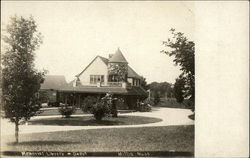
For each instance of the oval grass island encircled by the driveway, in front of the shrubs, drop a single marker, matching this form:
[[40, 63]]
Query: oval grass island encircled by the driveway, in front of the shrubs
[[90, 121]]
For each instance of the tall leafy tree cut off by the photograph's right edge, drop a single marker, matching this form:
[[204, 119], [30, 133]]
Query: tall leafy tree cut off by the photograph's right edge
[[183, 51]]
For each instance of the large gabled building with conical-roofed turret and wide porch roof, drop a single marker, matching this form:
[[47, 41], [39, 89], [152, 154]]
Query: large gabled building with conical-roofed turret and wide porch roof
[[105, 75]]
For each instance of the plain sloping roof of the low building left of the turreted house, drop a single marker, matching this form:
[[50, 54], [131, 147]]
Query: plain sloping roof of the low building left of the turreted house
[[55, 82]]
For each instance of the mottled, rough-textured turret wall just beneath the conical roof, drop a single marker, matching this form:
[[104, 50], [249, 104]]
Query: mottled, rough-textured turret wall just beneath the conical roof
[[119, 69]]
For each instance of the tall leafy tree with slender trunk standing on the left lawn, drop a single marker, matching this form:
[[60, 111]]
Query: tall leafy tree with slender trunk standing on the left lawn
[[21, 81]]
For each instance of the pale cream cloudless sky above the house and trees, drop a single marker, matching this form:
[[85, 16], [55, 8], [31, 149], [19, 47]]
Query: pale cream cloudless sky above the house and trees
[[75, 32]]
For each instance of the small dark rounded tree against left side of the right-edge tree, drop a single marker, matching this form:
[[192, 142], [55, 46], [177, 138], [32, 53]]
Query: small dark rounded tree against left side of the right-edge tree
[[178, 89]]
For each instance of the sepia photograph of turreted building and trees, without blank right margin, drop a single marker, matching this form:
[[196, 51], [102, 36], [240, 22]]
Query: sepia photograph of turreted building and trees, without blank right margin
[[98, 79]]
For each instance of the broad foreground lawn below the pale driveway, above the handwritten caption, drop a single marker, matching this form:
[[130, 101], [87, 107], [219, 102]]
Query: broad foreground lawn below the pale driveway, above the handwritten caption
[[178, 138]]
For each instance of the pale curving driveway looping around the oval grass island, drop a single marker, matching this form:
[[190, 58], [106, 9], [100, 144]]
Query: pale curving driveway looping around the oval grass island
[[169, 116]]
